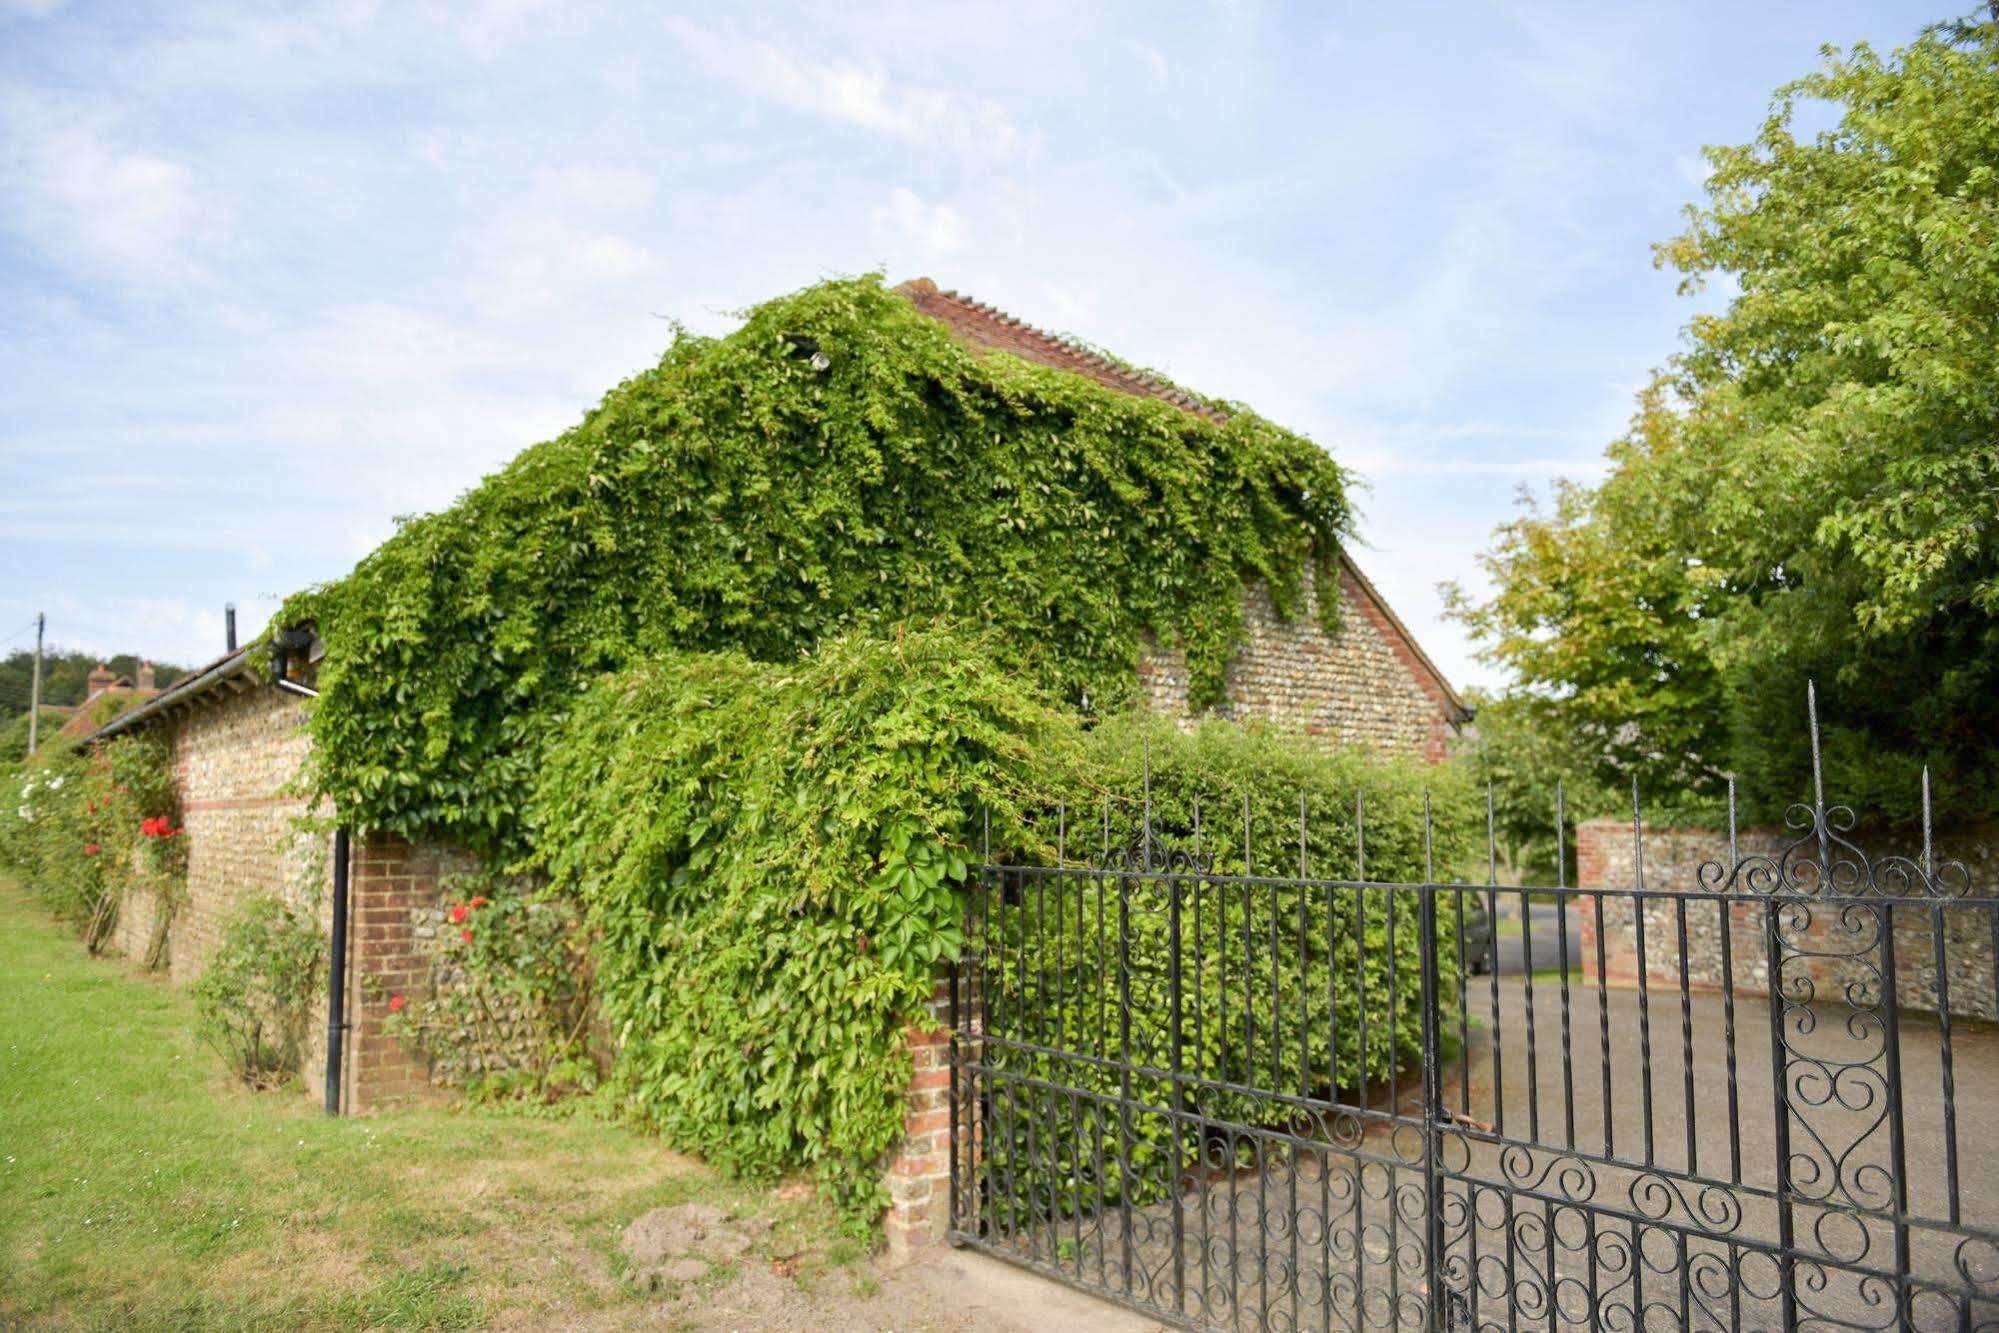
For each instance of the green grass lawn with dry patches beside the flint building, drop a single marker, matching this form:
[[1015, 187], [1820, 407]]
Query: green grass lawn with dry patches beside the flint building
[[141, 1188]]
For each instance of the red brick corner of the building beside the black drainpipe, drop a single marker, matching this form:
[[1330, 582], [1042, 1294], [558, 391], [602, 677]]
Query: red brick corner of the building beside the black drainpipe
[[391, 888]]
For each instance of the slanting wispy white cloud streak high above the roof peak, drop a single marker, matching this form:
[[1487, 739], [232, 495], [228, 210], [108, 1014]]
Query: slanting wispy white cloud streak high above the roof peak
[[861, 97]]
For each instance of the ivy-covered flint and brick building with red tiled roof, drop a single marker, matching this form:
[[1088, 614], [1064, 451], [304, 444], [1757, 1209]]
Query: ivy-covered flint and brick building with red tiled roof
[[857, 457]]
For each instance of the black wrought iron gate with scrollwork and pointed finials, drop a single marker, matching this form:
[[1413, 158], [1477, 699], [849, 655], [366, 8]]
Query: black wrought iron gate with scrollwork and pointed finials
[[1222, 1102]]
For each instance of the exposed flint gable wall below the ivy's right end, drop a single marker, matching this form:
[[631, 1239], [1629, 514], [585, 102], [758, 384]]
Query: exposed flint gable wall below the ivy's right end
[[1362, 686]]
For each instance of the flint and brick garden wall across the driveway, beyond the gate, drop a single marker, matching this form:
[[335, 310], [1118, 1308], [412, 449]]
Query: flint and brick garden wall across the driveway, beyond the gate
[[1822, 952]]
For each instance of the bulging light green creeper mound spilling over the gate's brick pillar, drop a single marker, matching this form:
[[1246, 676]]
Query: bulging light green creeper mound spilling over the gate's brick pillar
[[773, 864]]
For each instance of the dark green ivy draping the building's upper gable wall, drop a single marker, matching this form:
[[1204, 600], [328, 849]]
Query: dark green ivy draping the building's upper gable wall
[[741, 499]]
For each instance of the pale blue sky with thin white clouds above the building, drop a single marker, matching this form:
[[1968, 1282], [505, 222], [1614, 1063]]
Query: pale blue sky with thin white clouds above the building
[[275, 275]]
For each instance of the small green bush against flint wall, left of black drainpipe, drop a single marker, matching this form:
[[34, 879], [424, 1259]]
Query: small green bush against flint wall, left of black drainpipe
[[255, 1000]]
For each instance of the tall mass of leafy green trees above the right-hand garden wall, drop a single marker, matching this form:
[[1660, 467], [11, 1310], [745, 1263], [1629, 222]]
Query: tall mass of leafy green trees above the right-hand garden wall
[[1812, 487]]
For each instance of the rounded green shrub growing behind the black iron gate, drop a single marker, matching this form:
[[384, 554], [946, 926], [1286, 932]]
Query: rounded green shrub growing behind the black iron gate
[[1276, 984]]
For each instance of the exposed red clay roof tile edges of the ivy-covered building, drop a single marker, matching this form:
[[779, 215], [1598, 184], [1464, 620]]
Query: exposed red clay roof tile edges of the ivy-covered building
[[987, 327]]
